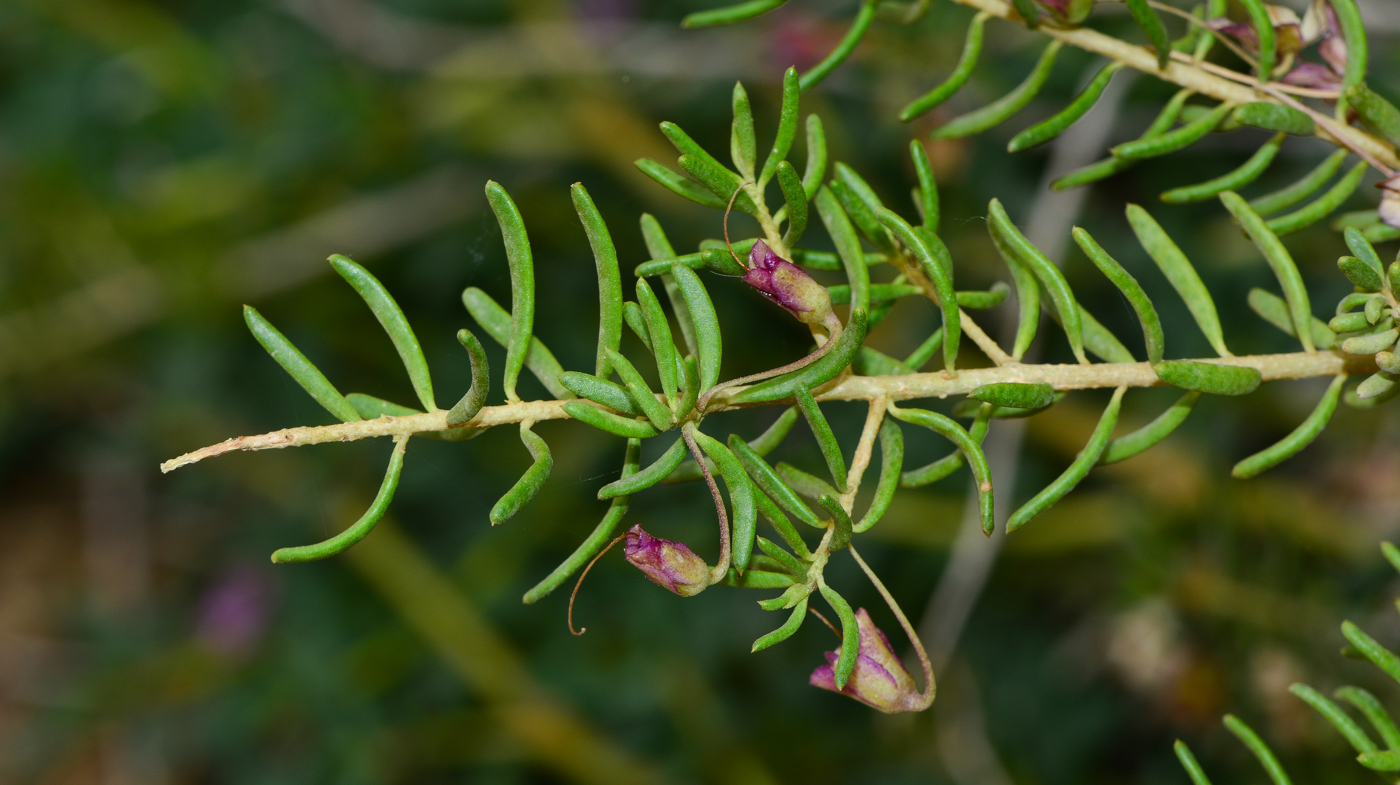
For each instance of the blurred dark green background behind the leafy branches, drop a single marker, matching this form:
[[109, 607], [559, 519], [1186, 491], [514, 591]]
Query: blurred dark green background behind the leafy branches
[[164, 163]]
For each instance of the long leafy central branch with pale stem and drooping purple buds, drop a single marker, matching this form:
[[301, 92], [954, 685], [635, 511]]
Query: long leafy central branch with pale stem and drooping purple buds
[[657, 387]]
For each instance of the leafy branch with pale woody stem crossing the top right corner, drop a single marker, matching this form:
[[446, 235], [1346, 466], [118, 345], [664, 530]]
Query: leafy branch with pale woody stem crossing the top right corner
[[1296, 76]]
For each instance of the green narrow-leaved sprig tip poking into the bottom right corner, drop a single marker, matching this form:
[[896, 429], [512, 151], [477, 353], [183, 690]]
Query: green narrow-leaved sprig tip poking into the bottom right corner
[[1382, 758]]
